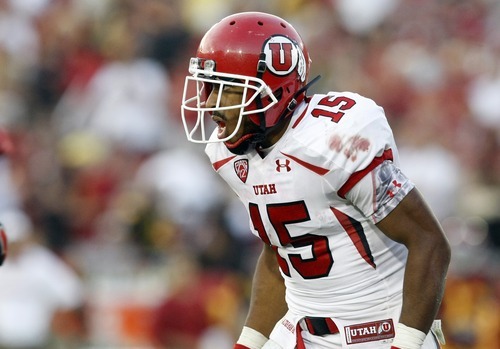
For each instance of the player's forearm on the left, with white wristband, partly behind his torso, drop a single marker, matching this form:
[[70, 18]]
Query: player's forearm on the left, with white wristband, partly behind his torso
[[267, 302]]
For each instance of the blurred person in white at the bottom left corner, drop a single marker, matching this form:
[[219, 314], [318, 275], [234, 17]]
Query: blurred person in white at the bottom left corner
[[41, 296]]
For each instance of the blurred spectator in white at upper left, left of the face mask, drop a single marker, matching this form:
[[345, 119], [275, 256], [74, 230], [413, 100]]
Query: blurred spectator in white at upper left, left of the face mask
[[125, 100]]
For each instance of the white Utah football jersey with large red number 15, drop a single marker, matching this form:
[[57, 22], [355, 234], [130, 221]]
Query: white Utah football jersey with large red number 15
[[315, 198]]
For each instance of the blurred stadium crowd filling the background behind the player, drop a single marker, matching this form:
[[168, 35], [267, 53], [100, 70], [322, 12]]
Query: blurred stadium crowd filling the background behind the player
[[121, 234]]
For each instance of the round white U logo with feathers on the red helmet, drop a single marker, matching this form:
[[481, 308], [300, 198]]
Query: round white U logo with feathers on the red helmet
[[283, 56]]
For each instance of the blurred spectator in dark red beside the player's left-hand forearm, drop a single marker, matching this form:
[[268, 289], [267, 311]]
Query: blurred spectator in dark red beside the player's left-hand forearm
[[200, 308]]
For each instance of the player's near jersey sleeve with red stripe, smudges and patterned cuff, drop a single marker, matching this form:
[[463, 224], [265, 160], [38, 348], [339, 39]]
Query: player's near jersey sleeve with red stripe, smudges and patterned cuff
[[365, 159]]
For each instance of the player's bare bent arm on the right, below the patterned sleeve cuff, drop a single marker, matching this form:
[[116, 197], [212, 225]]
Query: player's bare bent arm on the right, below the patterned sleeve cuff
[[413, 224]]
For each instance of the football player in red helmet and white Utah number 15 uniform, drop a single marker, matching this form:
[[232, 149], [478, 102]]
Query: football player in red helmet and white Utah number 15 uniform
[[352, 256]]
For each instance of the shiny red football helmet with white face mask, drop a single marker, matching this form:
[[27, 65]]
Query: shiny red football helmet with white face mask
[[257, 51]]
